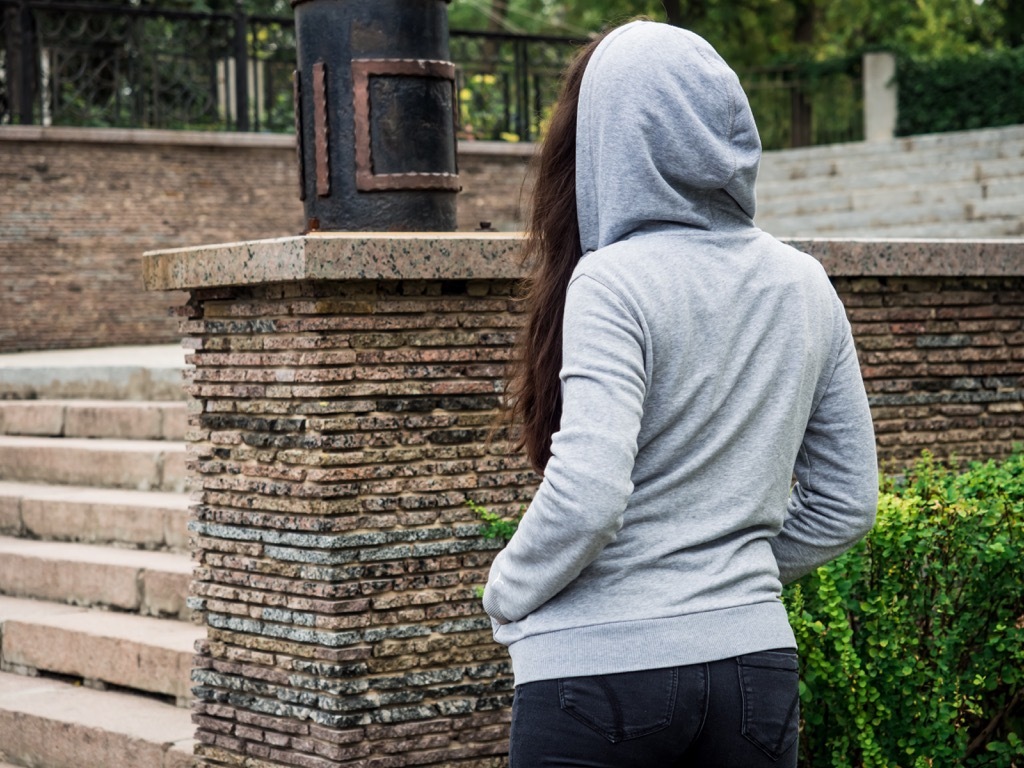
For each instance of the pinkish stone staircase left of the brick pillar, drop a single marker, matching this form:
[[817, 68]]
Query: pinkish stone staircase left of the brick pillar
[[96, 644]]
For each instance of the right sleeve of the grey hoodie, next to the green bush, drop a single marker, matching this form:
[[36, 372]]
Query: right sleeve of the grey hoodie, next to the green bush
[[833, 504]]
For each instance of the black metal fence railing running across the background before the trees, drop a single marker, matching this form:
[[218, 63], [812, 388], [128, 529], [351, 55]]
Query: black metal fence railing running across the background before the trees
[[84, 64]]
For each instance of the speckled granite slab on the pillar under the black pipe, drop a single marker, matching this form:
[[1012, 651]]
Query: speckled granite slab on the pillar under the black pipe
[[337, 257]]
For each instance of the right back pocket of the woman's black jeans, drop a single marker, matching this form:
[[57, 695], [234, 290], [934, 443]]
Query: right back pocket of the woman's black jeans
[[771, 685]]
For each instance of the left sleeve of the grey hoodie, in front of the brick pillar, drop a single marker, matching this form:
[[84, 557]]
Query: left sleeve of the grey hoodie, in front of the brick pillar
[[579, 507]]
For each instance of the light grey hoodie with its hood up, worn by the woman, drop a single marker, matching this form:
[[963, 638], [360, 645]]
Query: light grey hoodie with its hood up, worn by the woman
[[706, 366]]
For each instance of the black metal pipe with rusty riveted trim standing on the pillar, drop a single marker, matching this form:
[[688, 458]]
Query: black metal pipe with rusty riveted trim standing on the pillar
[[375, 115]]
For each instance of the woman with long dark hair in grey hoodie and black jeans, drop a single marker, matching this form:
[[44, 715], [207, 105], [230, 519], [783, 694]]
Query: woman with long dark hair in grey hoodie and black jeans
[[679, 368]]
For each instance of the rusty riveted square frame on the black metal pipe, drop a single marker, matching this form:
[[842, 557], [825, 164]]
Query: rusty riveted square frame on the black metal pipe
[[366, 180]]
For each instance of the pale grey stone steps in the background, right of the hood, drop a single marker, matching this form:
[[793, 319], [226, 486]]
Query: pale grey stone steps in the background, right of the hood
[[960, 185]]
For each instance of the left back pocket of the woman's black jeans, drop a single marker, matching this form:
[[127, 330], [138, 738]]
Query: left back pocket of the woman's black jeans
[[621, 707]]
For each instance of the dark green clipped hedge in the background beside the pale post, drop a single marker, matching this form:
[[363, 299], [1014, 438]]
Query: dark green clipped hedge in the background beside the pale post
[[961, 93]]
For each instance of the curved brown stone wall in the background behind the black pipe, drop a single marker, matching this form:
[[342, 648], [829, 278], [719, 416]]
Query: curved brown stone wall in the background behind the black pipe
[[79, 207]]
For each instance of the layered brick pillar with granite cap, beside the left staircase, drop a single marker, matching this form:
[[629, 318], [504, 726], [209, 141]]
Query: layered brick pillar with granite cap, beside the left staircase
[[344, 390]]
